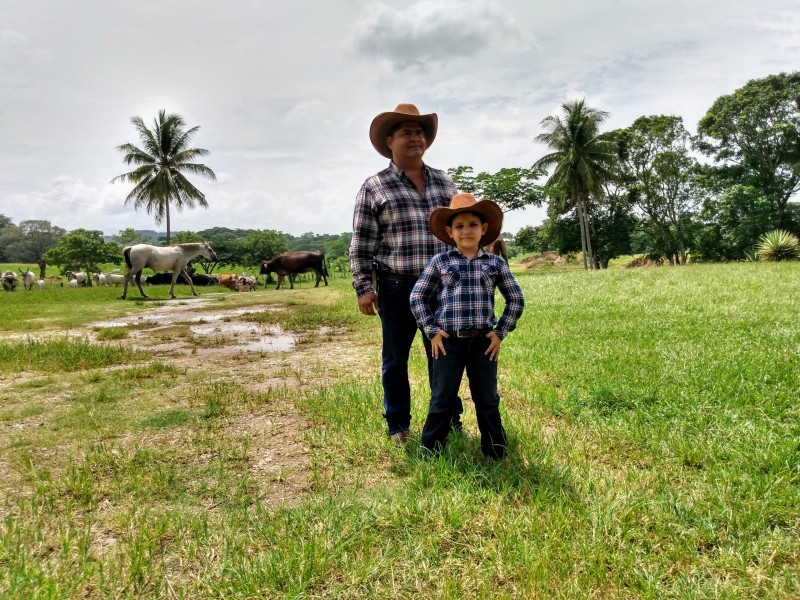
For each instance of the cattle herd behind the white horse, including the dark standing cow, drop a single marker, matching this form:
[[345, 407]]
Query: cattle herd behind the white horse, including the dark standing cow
[[287, 264]]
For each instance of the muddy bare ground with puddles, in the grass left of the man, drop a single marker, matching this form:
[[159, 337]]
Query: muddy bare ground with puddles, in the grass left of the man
[[252, 356]]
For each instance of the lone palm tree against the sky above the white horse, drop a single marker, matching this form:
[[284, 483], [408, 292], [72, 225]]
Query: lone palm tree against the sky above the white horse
[[158, 178]]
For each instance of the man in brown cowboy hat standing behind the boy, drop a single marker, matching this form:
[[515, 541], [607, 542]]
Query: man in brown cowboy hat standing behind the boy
[[391, 241]]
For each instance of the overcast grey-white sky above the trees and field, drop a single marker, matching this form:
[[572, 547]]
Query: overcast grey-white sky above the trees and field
[[284, 92]]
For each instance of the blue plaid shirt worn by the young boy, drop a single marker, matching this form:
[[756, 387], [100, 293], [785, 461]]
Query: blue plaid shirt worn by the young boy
[[465, 290]]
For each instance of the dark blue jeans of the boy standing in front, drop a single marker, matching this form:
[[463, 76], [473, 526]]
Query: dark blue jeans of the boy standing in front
[[448, 369]]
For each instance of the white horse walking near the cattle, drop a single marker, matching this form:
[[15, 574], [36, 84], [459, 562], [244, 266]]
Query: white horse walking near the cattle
[[172, 258]]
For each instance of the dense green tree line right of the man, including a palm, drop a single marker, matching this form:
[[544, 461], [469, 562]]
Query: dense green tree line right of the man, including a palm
[[644, 190]]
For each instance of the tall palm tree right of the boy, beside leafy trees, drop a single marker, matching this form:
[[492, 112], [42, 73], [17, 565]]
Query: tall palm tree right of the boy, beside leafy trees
[[583, 161]]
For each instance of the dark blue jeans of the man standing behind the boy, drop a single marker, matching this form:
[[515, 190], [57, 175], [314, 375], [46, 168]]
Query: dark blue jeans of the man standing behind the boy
[[399, 328]]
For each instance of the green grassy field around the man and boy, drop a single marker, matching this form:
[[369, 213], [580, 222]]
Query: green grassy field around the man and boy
[[654, 427]]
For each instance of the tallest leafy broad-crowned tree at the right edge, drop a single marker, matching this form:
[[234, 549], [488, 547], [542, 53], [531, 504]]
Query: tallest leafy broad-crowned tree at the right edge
[[753, 135]]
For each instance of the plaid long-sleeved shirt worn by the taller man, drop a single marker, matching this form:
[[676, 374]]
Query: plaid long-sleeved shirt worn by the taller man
[[390, 224]]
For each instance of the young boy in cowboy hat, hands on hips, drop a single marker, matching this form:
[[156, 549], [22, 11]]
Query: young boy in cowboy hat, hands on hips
[[464, 332]]
